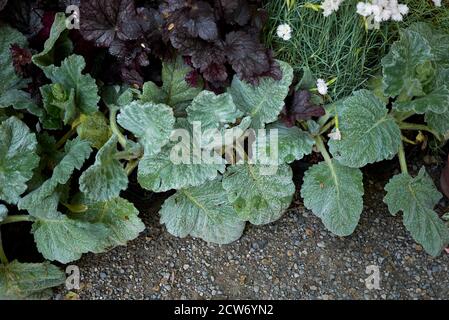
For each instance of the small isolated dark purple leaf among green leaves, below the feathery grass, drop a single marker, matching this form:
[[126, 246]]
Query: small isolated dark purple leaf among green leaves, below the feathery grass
[[302, 108]]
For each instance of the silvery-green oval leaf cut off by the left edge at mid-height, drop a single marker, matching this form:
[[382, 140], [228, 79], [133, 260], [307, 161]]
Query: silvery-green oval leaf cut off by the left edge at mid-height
[[18, 159]]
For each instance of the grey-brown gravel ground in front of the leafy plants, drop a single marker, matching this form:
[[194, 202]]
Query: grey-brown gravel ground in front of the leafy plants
[[294, 258]]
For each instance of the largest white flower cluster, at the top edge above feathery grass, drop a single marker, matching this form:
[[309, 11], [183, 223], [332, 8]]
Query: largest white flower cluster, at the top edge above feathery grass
[[382, 10]]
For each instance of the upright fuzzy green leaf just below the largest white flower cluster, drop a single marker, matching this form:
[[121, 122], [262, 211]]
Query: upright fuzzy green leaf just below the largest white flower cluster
[[400, 64]]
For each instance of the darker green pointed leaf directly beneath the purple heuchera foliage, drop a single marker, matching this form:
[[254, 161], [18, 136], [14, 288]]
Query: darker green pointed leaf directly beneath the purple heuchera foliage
[[175, 92]]
